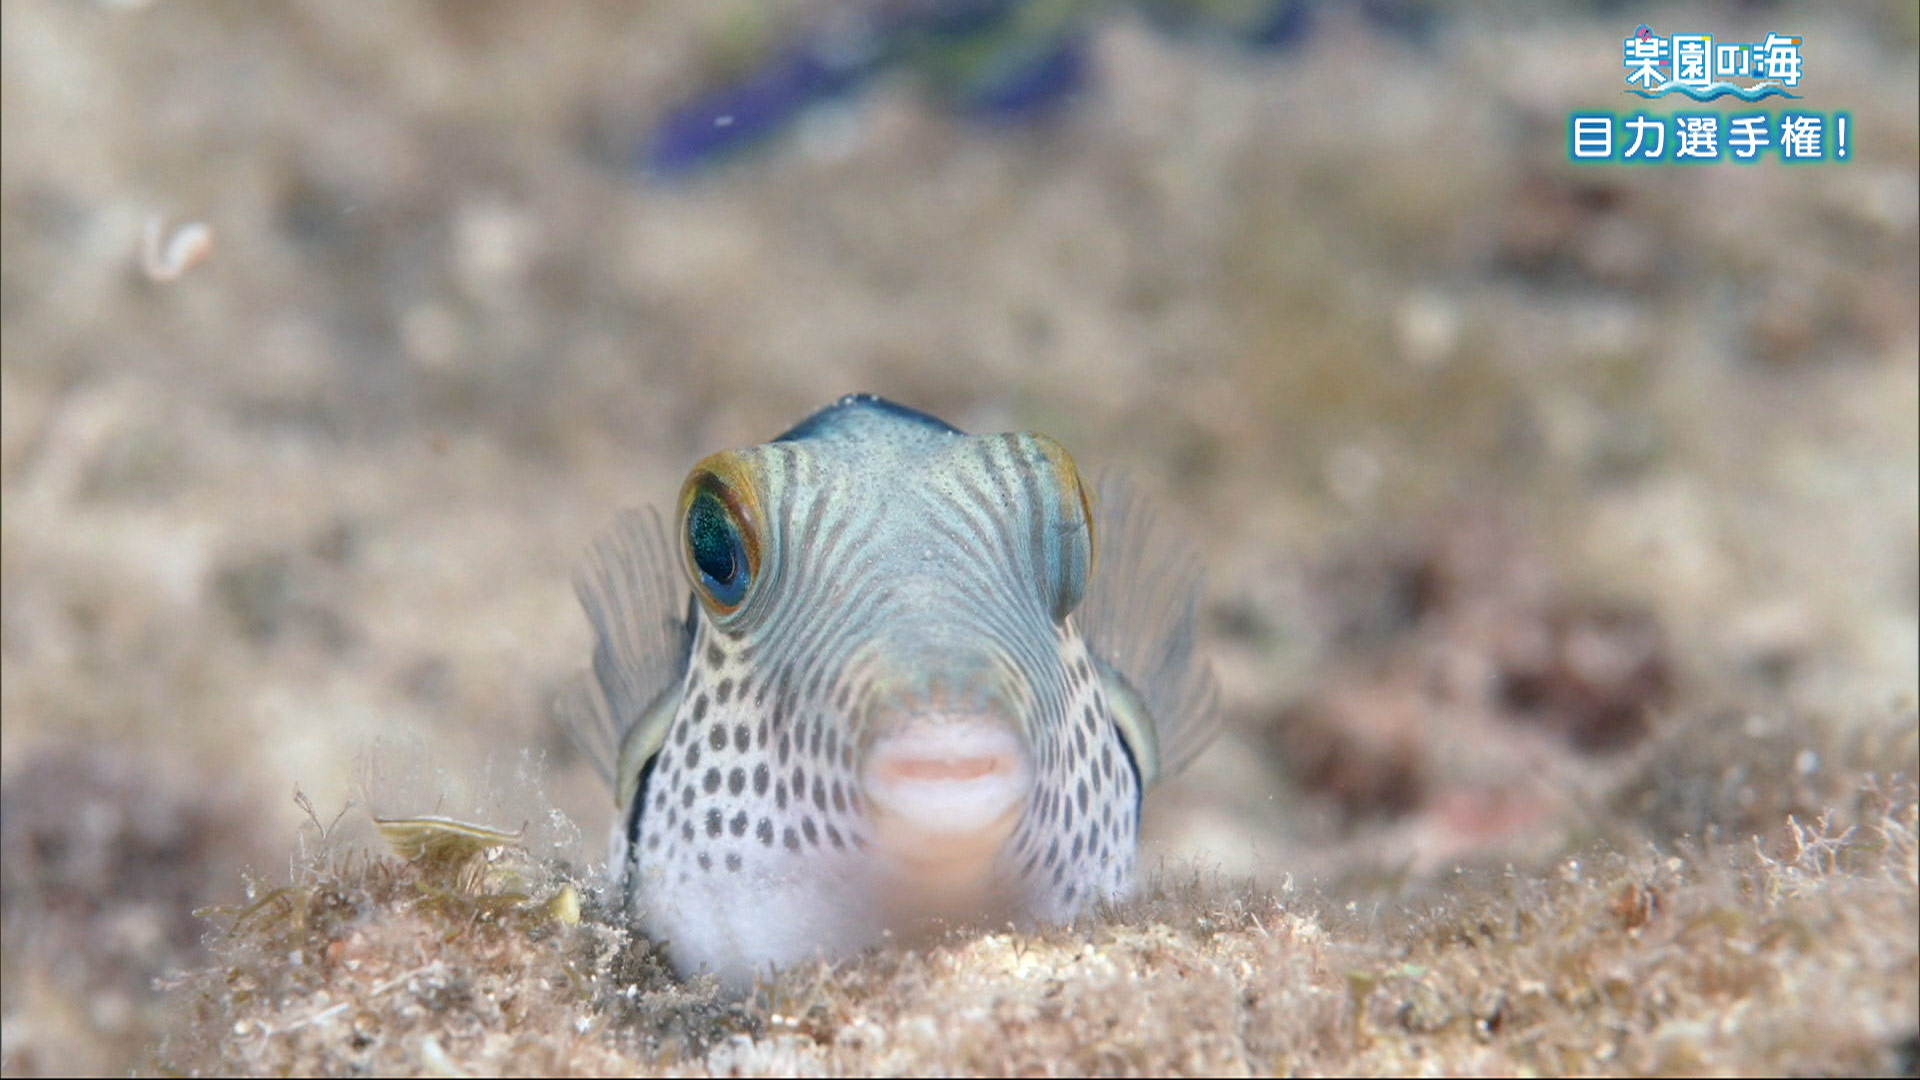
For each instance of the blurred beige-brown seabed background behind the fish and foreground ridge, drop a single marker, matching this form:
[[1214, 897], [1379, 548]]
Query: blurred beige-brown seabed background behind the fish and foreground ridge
[[1541, 503]]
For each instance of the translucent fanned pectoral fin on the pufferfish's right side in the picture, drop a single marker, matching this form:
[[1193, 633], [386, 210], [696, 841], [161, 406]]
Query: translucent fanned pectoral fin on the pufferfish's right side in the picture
[[1140, 620]]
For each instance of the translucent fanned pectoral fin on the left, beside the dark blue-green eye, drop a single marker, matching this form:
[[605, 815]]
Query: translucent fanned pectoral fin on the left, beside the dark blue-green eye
[[636, 602]]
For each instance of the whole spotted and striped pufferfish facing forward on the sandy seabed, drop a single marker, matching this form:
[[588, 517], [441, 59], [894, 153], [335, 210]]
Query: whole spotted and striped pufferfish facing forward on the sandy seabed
[[882, 675]]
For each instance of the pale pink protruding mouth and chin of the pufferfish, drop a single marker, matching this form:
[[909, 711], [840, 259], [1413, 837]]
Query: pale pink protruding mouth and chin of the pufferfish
[[944, 798]]
